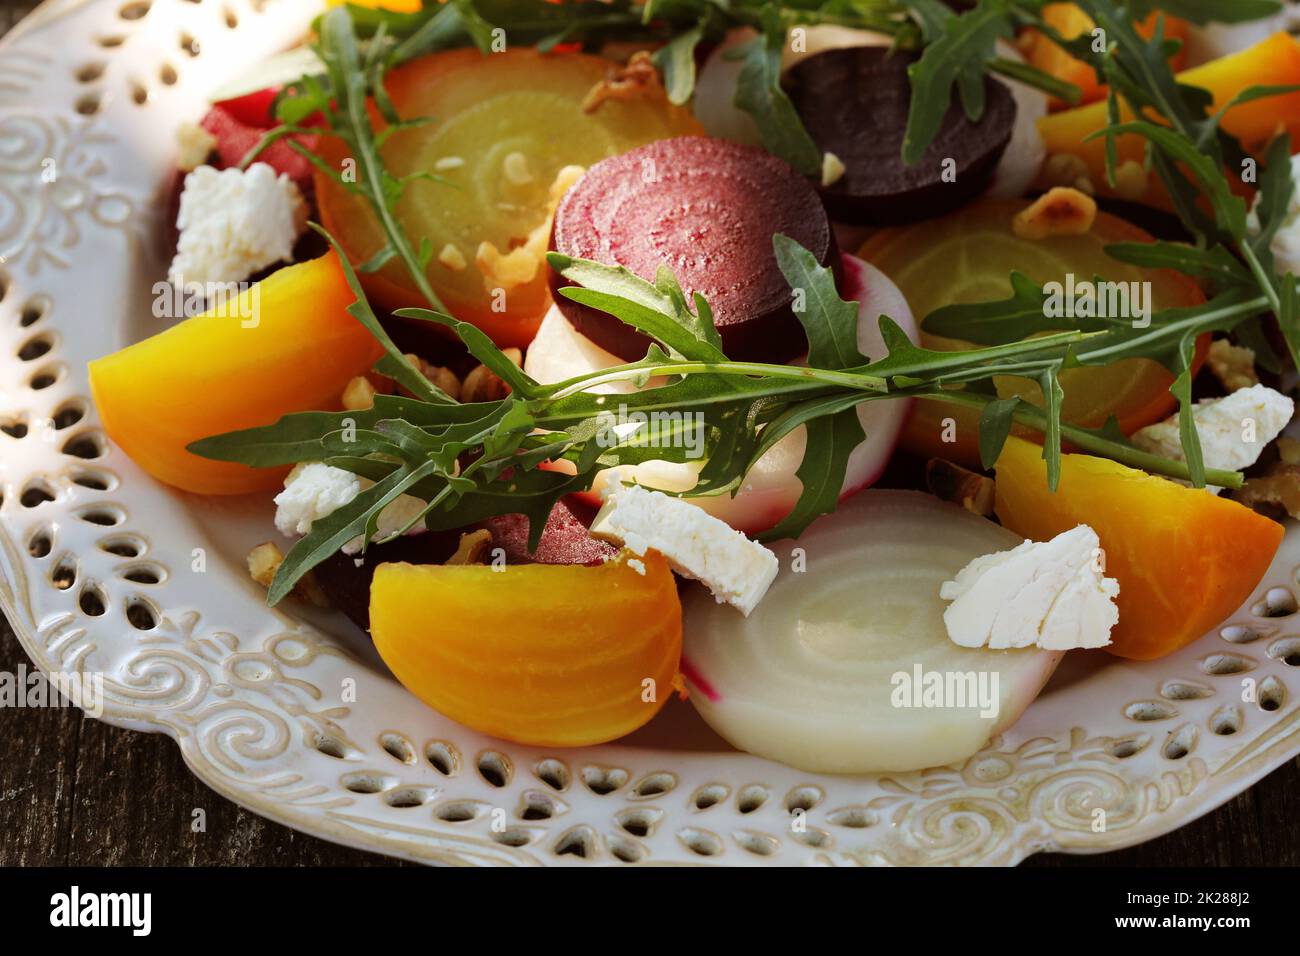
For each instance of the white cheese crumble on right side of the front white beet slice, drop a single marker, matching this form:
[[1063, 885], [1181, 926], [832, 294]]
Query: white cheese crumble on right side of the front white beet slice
[[1048, 595]]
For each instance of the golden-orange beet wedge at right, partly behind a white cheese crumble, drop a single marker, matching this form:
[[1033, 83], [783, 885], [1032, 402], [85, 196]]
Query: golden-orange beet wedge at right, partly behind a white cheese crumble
[[1185, 559]]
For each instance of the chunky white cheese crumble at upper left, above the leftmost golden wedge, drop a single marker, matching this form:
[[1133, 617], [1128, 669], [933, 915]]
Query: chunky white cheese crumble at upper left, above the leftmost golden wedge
[[235, 223]]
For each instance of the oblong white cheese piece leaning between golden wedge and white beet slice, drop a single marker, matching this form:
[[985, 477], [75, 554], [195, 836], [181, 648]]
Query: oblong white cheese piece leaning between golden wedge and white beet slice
[[696, 544]]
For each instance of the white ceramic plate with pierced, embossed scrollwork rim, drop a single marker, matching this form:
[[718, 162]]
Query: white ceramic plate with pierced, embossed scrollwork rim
[[298, 721]]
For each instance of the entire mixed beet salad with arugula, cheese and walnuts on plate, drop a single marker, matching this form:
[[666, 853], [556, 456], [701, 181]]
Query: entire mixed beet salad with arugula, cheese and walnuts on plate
[[837, 365]]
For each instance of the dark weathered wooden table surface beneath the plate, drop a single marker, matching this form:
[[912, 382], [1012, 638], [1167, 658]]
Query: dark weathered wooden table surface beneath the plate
[[76, 791]]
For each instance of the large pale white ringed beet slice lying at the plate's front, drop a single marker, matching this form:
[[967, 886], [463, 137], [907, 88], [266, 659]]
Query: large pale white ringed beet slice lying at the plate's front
[[808, 678]]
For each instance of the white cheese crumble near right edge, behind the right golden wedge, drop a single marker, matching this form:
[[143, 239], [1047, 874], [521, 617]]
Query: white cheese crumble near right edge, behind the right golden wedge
[[1234, 430]]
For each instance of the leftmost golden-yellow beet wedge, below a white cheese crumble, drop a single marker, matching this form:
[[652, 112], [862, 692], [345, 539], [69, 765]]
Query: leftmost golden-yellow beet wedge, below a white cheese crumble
[[284, 345]]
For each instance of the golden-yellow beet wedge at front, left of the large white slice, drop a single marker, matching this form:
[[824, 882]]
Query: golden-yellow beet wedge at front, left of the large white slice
[[543, 655]]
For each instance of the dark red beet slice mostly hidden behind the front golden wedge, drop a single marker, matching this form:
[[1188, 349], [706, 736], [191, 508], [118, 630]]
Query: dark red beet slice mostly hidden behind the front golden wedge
[[346, 578]]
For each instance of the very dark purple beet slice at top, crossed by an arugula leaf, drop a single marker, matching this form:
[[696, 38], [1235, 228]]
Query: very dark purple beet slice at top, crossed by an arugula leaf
[[855, 105]]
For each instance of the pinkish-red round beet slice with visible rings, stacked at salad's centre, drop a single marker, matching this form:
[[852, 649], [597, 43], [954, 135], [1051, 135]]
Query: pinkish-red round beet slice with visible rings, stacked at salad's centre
[[708, 210]]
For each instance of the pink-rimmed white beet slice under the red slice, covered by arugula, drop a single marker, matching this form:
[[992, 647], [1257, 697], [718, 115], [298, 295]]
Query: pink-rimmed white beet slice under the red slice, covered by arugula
[[772, 488]]
